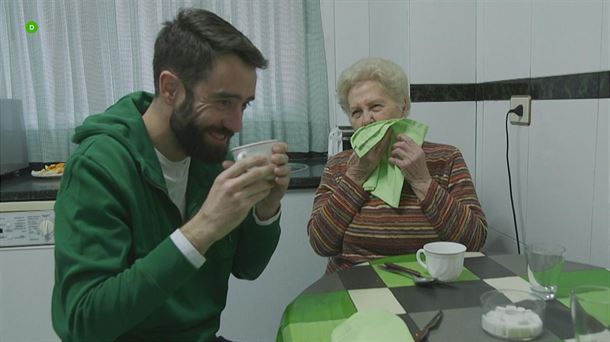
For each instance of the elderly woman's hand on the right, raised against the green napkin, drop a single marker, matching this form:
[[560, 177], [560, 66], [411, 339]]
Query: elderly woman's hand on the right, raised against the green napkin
[[411, 160]]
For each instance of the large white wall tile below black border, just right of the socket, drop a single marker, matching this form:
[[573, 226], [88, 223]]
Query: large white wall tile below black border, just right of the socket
[[560, 174]]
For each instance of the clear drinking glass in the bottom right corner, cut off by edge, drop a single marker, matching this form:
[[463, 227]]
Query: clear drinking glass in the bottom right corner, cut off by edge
[[590, 306]]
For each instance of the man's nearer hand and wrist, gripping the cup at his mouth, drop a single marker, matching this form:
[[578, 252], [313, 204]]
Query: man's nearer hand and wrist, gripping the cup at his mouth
[[241, 185]]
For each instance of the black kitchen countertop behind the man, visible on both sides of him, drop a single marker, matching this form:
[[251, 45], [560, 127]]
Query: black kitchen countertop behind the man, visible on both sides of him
[[24, 187]]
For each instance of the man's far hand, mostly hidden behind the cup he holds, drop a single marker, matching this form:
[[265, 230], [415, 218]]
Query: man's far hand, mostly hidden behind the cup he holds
[[269, 206]]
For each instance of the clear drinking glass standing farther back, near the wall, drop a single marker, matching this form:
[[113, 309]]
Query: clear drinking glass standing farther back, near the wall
[[544, 266]]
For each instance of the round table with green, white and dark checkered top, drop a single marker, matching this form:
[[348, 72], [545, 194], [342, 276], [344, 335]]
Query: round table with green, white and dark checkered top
[[332, 299]]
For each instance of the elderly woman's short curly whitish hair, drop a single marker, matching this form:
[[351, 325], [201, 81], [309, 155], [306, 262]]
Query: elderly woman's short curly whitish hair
[[386, 72]]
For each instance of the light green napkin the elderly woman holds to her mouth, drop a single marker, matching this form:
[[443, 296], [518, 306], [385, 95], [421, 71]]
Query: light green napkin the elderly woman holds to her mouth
[[386, 180]]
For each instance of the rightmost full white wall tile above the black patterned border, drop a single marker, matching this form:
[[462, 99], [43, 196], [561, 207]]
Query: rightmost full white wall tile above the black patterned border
[[566, 36]]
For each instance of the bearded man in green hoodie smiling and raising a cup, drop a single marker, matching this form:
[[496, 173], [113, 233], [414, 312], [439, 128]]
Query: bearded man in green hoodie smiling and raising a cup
[[153, 215]]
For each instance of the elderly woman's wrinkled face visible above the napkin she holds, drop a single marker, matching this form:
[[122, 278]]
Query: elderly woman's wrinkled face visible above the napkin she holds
[[369, 102]]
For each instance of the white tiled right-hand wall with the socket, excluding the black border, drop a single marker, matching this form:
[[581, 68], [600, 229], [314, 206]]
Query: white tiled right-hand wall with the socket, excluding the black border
[[562, 159]]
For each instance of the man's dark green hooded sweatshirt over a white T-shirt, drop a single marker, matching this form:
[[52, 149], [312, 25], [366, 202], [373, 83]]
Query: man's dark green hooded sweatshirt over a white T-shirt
[[118, 275]]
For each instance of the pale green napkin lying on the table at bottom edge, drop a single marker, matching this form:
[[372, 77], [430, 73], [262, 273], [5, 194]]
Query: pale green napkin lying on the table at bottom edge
[[372, 325]]
